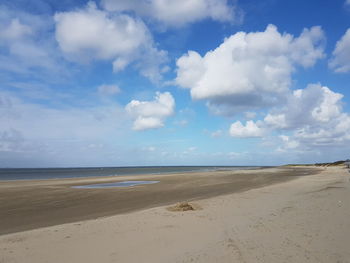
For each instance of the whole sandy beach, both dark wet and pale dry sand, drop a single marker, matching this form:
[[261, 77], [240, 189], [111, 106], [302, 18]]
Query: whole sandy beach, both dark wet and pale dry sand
[[273, 215]]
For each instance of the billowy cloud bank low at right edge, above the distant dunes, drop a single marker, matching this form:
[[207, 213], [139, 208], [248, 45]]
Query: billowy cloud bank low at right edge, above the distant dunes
[[313, 117]]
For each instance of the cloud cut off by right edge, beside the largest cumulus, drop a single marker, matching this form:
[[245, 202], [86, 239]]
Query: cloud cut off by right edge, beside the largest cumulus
[[340, 61]]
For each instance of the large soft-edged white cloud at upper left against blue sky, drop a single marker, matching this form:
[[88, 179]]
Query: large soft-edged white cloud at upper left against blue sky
[[92, 34]]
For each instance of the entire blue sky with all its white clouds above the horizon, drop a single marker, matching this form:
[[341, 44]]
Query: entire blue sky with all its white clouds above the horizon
[[165, 82]]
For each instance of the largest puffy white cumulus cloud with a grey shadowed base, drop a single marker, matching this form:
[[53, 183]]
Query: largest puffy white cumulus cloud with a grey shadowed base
[[248, 70]]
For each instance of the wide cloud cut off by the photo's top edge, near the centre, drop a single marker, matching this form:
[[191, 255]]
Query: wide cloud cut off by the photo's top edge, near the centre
[[178, 13]]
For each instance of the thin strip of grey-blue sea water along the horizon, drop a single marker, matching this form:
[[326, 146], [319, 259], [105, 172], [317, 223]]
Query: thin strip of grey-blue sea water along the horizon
[[57, 173]]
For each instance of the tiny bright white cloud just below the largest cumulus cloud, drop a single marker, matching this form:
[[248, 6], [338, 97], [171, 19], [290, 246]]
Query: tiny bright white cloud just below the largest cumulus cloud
[[250, 130]]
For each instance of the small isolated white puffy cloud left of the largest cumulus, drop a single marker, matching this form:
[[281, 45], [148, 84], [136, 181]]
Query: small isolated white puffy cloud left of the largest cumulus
[[151, 114]]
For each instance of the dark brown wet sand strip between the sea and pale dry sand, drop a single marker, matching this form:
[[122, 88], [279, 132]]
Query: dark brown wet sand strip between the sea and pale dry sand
[[26, 205]]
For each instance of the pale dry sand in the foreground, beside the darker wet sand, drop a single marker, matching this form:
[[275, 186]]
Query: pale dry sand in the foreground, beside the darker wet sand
[[301, 220]]
